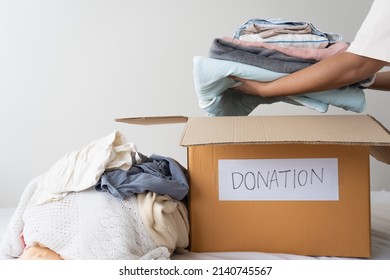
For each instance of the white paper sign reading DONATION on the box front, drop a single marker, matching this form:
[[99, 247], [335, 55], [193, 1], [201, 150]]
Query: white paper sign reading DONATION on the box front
[[278, 179]]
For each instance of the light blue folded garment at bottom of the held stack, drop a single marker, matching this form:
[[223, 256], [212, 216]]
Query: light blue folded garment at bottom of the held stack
[[217, 96]]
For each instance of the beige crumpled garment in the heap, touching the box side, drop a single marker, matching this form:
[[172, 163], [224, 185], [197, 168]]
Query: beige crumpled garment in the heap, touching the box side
[[165, 219]]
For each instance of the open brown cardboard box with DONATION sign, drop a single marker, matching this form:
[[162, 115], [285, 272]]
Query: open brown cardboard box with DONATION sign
[[281, 184]]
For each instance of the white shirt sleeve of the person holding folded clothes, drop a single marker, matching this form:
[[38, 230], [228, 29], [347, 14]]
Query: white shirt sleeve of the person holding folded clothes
[[373, 38]]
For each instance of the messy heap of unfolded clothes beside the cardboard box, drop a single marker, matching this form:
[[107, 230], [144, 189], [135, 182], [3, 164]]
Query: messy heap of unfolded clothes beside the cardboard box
[[103, 201]]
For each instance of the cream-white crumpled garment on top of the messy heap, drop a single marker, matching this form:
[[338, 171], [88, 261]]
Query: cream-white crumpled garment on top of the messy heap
[[81, 169]]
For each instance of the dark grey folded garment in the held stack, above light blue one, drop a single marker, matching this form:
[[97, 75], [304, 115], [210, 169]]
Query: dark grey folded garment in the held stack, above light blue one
[[261, 57]]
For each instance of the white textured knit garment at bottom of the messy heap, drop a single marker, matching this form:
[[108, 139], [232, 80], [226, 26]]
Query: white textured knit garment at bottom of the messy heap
[[83, 225]]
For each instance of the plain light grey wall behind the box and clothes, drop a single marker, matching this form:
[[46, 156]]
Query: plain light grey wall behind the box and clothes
[[68, 68]]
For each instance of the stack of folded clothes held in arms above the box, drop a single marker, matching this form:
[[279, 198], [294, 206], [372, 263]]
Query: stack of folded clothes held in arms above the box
[[265, 50]]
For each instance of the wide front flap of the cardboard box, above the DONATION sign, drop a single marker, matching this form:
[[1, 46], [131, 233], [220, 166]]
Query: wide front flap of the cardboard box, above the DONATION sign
[[318, 129]]
